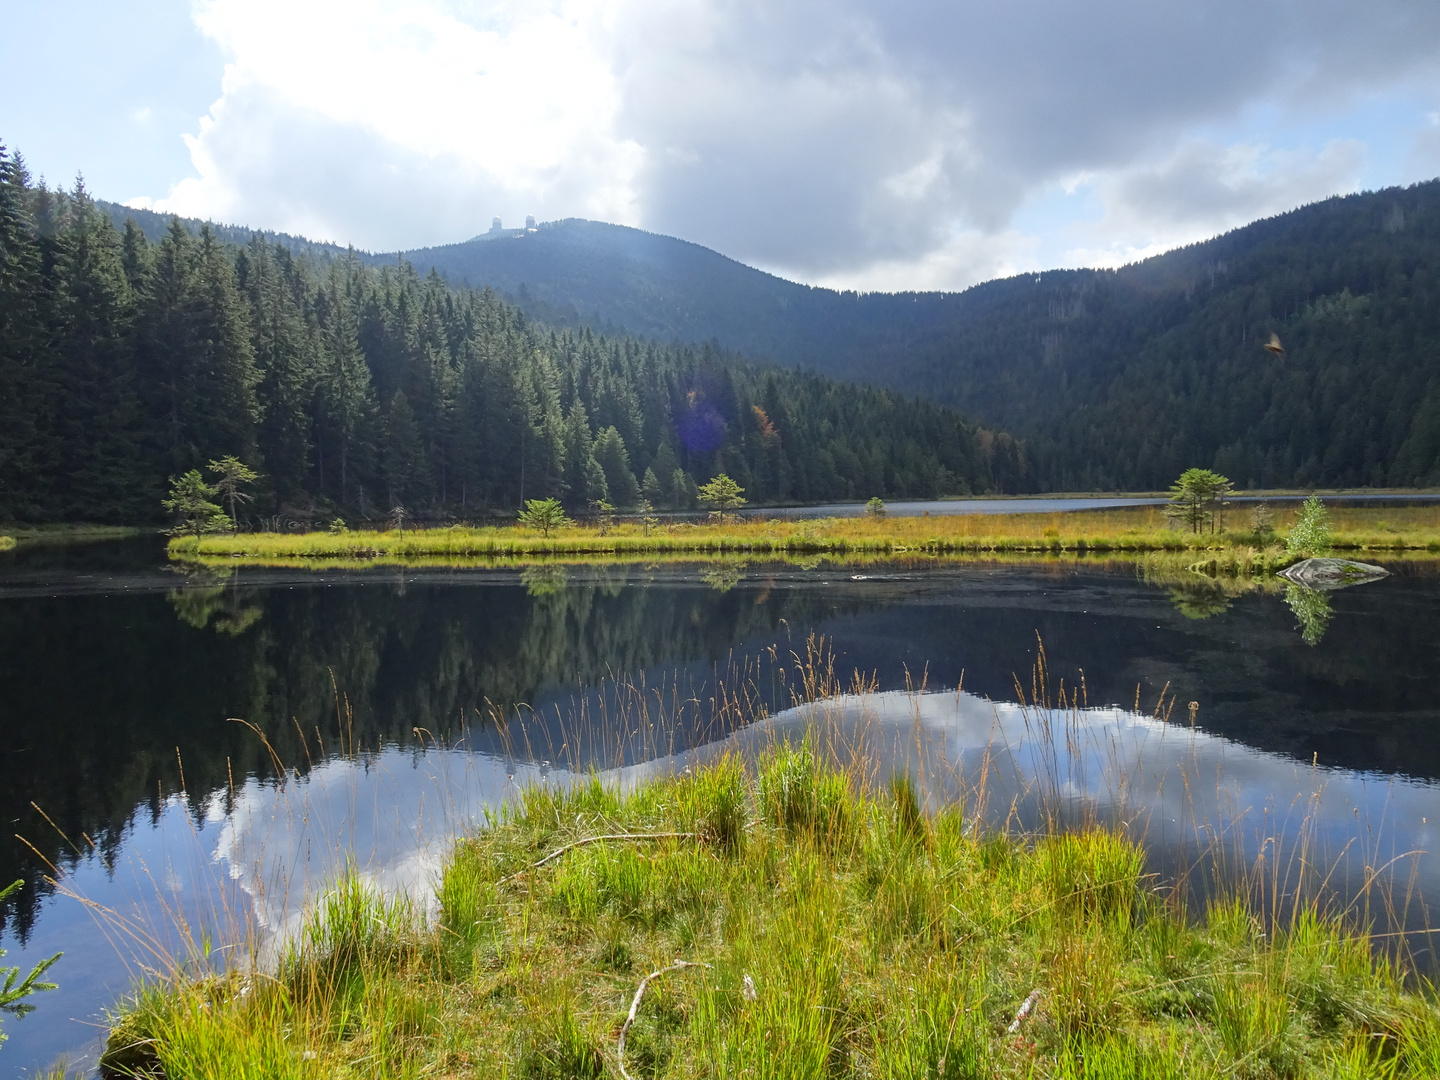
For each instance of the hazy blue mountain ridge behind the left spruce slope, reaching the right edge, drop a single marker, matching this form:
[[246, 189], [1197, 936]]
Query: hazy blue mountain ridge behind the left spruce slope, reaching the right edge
[[1114, 379]]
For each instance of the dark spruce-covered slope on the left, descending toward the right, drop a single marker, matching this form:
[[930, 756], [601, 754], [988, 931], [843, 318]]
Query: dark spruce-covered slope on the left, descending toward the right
[[355, 390]]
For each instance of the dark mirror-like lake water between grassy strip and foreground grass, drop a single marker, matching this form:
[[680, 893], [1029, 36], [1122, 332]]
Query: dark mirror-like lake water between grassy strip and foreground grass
[[122, 676]]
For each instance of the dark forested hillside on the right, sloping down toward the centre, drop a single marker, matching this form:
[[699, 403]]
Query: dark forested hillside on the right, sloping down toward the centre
[[1122, 379]]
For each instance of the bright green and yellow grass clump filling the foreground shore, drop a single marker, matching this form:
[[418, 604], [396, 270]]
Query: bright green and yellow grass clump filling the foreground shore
[[826, 934]]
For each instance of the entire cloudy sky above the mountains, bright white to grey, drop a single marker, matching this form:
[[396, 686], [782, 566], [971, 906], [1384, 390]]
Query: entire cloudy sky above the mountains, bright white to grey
[[872, 145]]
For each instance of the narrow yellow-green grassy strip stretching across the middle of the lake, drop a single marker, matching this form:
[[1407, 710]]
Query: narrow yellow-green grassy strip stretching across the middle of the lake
[[1131, 531]]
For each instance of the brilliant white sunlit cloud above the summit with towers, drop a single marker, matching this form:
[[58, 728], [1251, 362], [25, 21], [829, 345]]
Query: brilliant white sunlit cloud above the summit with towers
[[398, 126]]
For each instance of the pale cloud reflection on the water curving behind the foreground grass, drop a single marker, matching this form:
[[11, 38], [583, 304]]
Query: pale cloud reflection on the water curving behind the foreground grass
[[1193, 798]]
